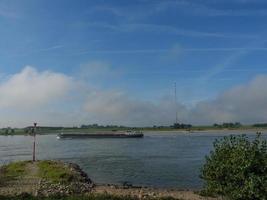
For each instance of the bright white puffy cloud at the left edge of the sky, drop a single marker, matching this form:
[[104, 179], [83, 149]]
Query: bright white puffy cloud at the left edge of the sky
[[31, 88]]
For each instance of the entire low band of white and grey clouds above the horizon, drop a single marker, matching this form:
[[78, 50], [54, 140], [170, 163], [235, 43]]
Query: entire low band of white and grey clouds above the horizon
[[45, 96]]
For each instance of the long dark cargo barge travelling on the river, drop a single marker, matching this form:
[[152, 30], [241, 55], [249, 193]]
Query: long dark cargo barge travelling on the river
[[119, 134]]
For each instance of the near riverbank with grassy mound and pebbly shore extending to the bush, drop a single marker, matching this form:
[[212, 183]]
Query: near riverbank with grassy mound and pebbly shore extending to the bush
[[50, 178]]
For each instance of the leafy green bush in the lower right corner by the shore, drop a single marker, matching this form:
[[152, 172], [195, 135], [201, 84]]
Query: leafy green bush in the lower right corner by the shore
[[237, 169]]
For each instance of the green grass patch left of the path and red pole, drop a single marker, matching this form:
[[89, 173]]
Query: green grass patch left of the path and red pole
[[12, 171]]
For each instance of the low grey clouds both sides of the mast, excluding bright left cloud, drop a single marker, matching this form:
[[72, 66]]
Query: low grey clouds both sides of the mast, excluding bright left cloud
[[246, 103]]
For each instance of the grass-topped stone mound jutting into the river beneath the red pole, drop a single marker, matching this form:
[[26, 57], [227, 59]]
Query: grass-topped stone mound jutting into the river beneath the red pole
[[30, 180]]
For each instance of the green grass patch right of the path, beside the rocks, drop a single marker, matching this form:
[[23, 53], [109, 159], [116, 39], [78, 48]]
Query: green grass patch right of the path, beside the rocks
[[55, 172]]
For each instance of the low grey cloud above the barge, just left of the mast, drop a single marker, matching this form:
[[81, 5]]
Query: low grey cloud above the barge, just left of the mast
[[117, 108]]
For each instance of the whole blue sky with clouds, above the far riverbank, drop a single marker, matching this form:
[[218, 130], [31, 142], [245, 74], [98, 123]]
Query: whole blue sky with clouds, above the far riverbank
[[67, 63]]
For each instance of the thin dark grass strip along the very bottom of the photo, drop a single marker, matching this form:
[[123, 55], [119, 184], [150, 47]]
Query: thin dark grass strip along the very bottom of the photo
[[89, 197]]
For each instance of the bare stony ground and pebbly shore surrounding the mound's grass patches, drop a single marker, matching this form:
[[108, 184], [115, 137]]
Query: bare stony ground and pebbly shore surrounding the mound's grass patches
[[79, 183]]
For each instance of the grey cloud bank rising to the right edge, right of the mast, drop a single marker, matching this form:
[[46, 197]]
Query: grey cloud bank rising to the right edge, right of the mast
[[245, 103]]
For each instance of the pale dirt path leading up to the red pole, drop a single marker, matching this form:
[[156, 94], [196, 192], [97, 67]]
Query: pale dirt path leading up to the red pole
[[28, 183]]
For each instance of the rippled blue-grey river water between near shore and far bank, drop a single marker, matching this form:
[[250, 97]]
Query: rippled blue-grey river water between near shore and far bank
[[160, 159]]
